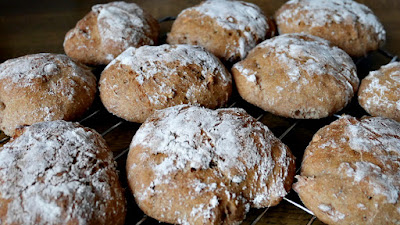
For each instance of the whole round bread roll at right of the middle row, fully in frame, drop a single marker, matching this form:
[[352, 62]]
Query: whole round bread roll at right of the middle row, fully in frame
[[297, 76]]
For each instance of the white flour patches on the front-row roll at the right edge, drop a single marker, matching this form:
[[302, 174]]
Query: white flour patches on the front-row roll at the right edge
[[380, 137]]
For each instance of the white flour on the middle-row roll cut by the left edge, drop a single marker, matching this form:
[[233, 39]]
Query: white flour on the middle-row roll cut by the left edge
[[26, 70]]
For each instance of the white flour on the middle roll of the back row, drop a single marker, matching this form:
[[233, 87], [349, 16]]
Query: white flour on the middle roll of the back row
[[238, 16]]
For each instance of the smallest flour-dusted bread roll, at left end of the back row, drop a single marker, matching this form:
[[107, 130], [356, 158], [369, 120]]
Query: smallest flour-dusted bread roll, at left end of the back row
[[108, 30]]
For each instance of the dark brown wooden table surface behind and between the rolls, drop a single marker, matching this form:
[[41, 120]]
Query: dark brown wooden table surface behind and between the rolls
[[28, 27]]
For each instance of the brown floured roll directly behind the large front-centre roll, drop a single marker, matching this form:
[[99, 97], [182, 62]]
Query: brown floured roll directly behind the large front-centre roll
[[142, 80]]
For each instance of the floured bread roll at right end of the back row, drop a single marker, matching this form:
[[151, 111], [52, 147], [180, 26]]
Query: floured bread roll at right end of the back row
[[347, 24]]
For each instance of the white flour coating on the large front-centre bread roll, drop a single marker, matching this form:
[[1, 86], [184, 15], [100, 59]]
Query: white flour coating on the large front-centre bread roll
[[202, 139]]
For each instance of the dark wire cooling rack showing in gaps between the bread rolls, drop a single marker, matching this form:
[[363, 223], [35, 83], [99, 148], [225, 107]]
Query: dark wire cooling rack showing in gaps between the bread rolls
[[293, 132]]
